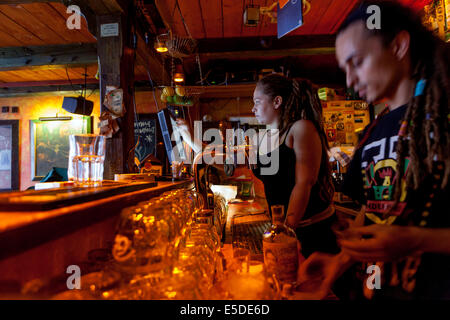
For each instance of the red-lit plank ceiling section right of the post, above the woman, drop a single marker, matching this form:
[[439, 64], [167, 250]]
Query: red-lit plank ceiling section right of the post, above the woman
[[215, 23]]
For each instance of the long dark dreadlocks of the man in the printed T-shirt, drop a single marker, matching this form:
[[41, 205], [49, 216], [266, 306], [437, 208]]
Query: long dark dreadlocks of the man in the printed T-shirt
[[424, 134]]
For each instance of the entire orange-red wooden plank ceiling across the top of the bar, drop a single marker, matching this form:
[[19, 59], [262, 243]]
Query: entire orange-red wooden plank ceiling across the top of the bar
[[44, 24]]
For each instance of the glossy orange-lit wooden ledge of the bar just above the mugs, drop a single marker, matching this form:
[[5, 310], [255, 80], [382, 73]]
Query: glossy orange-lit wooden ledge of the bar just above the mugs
[[22, 230]]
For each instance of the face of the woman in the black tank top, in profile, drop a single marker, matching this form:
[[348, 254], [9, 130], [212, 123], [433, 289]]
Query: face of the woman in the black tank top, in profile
[[265, 108]]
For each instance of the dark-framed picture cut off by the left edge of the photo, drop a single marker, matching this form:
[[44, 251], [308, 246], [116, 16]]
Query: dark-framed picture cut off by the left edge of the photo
[[9, 155]]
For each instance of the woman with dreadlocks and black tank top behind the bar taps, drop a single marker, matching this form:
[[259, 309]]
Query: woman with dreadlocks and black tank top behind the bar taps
[[302, 182]]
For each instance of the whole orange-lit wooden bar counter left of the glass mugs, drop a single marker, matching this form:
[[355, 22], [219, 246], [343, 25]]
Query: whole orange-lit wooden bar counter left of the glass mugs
[[44, 232]]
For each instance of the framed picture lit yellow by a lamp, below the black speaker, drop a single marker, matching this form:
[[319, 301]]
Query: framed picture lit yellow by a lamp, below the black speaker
[[49, 143]]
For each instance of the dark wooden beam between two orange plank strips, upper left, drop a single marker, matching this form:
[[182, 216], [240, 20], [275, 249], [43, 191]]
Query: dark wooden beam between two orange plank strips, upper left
[[62, 56]]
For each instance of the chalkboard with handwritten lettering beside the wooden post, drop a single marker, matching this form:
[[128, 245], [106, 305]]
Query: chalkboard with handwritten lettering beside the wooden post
[[145, 136]]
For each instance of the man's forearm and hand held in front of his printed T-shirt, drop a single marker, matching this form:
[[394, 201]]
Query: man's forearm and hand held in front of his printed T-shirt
[[380, 242]]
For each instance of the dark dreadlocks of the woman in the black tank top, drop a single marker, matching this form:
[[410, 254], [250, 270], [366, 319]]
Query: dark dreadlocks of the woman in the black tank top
[[300, 101]]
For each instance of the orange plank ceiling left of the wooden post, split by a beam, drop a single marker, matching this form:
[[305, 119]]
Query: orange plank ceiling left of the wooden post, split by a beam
[[41, 24]]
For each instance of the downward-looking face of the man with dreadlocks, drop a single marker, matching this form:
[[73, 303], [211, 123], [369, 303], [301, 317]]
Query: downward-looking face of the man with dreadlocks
[[370, 67]]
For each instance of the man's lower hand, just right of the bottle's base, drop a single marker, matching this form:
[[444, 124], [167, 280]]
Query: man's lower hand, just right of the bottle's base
[[323, 268]]
